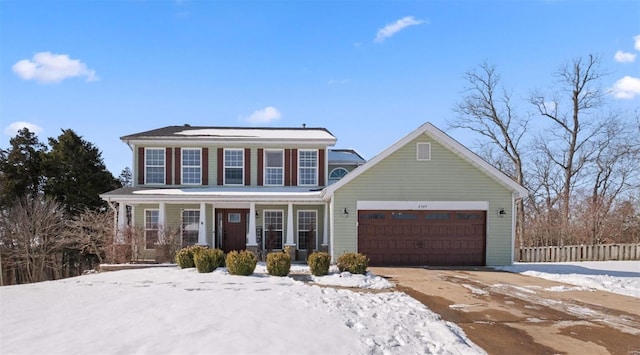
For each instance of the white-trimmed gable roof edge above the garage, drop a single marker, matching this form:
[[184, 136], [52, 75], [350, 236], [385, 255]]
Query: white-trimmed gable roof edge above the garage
[[448, 142]]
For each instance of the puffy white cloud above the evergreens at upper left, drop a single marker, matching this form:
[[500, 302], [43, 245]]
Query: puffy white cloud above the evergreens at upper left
[[47, 67]]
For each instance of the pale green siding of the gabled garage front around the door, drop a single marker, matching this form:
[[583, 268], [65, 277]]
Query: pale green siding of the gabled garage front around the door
[[446, 177]]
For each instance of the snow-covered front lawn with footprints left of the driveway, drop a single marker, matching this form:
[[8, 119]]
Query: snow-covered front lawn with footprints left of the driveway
[[167, 310]]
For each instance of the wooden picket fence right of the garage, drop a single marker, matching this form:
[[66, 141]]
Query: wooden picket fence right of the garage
[[601, 252]]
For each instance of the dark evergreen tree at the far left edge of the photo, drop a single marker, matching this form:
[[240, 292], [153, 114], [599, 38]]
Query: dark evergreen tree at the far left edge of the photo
[[21, 168]]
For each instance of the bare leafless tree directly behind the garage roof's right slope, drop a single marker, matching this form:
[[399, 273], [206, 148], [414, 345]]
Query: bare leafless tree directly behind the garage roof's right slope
[[486, 109]]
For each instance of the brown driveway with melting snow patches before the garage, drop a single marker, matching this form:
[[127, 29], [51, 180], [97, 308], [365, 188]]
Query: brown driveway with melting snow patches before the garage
[[508, 313]]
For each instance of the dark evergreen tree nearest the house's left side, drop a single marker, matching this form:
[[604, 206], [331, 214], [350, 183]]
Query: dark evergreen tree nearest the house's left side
[[76, 174]]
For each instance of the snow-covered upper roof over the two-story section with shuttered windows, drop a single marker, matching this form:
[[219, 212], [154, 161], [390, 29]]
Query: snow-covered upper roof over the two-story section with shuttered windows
[[235, 134]]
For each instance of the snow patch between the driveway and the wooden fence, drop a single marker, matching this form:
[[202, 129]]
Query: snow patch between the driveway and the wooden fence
[[621, 277]]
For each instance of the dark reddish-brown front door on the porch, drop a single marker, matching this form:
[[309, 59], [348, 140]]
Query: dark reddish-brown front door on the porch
[[233, 235]]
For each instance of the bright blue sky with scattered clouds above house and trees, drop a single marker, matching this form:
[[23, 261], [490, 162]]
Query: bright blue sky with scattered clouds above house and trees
[[369, 71]]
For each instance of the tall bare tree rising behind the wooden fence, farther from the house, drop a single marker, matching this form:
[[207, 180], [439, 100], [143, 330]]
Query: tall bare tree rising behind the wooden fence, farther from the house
[[575, 123]]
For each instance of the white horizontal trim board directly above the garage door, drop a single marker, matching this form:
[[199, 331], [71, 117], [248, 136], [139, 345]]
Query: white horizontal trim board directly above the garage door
[[424, 205]]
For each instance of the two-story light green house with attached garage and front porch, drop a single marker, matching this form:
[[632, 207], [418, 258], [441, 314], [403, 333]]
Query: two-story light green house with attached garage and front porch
[[425, 200]]
